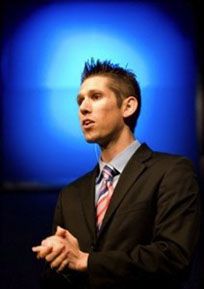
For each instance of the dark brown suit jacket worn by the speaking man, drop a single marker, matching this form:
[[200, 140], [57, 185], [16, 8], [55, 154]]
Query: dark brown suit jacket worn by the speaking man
[[150, 229]]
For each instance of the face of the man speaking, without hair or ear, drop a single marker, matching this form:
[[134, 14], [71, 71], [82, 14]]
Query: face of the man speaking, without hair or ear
[[100, 117]]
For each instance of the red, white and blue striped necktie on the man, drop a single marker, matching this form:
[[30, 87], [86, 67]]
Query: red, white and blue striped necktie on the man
[[105, 193]]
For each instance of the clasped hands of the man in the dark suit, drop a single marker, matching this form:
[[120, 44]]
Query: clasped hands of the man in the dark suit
[[62, 251]]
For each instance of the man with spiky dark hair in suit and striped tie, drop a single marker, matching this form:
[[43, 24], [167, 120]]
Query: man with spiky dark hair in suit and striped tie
[[132, 222]]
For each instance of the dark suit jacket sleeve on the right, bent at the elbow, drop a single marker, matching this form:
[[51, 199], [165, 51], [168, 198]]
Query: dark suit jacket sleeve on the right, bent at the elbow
[[174, 237]]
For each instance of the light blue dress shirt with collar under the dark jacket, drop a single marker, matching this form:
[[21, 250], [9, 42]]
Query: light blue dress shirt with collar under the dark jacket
[[119, 162]]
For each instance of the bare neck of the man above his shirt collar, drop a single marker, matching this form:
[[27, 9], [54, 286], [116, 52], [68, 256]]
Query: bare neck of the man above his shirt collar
[[116, 146]]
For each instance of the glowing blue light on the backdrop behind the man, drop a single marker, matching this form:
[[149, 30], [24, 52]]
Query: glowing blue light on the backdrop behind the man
[[42, 64]]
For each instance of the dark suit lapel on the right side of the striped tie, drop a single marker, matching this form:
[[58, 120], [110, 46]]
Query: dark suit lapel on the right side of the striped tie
[[131, 173]]
